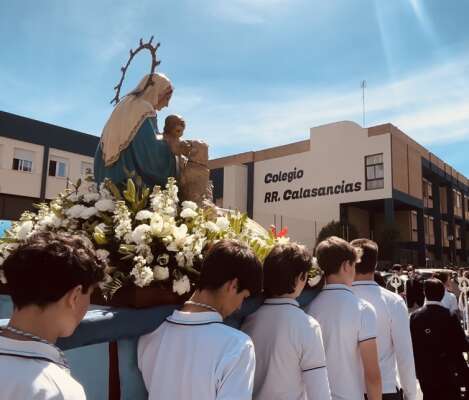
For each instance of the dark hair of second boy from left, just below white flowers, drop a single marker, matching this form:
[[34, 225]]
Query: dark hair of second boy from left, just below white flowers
[[227, 260]]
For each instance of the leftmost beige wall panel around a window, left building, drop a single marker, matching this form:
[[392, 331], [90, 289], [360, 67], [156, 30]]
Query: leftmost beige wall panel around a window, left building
[[20, 183]]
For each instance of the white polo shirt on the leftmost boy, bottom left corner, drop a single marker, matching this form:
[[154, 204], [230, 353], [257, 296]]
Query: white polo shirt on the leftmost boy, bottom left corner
[[34, 371]]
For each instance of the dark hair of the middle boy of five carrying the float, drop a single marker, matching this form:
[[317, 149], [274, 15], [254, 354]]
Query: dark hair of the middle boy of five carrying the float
[[284, 264]]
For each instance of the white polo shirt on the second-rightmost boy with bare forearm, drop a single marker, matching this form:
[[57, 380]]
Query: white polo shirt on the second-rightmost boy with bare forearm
[[345, 321]]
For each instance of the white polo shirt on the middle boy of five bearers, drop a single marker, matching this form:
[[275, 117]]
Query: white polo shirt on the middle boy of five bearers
[[290, 359]]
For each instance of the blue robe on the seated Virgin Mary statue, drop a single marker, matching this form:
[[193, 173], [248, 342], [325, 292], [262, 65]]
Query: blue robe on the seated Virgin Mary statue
[[150, 158]]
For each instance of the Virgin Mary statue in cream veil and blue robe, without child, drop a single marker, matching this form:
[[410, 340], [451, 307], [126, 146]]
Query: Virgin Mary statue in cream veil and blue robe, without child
[[129, 140]]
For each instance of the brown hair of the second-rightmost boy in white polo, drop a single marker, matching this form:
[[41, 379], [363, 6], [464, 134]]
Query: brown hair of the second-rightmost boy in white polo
[[332, 252]]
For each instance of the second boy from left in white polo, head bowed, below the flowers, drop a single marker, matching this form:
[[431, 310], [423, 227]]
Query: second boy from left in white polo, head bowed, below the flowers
[[193, 355]]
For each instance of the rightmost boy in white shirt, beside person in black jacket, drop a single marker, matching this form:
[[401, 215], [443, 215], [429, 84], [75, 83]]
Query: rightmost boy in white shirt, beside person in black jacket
[[394, 340]]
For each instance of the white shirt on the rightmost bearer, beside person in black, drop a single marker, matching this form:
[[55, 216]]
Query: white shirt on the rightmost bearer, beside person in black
[[394, 340]]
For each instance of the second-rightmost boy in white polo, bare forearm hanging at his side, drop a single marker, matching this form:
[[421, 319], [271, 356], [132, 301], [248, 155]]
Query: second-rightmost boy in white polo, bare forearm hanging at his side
[[348, 325]]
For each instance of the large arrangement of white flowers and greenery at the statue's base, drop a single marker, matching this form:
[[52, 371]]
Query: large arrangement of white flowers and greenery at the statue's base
[[143, 238]]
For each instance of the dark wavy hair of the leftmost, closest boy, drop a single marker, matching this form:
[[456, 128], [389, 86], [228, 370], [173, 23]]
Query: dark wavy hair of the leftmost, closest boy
[[43, 269]]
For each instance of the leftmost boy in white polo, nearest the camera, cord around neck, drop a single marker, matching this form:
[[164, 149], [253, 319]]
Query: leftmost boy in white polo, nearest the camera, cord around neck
[[50, 279]]
